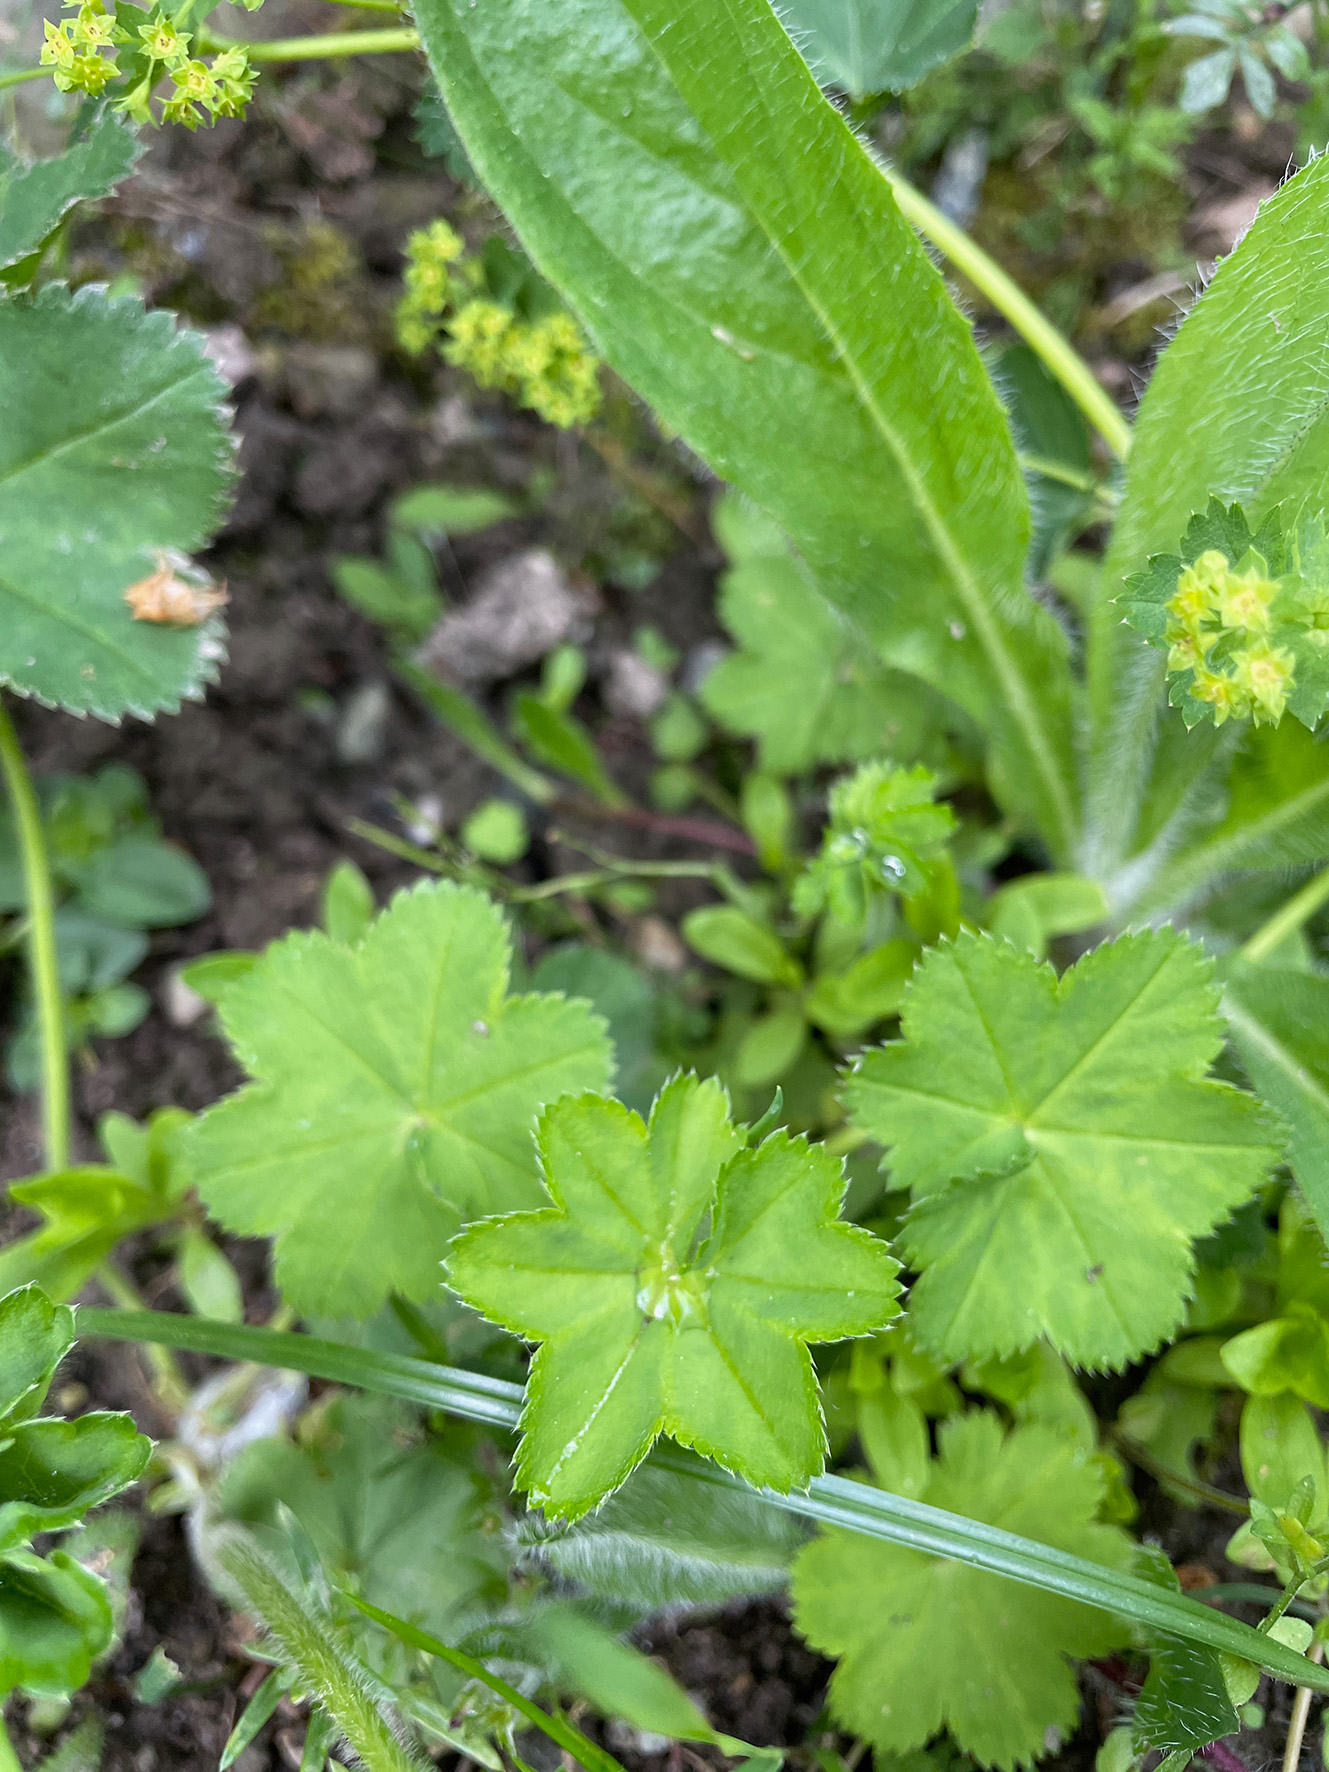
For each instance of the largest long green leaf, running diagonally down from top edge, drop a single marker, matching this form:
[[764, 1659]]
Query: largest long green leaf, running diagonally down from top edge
[[740, 260]]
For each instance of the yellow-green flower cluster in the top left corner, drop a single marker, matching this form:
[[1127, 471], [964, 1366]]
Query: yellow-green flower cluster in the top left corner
[[77, 54]]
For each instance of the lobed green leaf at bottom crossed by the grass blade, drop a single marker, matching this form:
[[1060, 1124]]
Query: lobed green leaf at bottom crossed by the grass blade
[[929, 1644]]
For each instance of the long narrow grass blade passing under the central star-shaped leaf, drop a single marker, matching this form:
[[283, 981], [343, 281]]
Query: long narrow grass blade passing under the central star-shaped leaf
[[832, 1500]]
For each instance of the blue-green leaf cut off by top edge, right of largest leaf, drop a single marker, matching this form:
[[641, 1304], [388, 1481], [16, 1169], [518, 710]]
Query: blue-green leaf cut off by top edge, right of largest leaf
[[880, 45]]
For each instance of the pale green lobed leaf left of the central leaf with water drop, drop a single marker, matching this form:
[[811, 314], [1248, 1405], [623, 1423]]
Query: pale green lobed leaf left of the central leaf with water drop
[[398, 1092]]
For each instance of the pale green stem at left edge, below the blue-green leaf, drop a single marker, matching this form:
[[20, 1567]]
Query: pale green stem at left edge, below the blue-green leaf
[[43, 954]]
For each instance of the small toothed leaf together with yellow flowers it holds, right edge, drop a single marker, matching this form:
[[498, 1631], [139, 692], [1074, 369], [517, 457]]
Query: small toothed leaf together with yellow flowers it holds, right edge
[[1245, 618]]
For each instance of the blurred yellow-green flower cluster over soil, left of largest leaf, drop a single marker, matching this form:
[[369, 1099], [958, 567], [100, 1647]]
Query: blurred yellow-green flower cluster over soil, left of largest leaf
[[543, 364]]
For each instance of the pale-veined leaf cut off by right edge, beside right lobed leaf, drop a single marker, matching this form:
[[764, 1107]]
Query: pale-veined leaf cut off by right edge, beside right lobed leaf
[[1280, 1025]]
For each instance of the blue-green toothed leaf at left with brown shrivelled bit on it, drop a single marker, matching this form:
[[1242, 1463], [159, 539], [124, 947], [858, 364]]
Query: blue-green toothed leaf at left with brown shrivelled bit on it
[[113, 453]]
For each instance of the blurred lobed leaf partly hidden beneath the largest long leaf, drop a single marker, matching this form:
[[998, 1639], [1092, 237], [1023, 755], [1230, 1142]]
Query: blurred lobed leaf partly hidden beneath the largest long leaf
[[802, 683]]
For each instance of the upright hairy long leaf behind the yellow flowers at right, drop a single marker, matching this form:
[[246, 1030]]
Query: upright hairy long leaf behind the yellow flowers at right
[[1240, 410]]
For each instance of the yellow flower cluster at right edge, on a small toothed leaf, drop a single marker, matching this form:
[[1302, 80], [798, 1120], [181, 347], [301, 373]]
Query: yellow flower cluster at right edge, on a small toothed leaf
[[1220, 628]]
